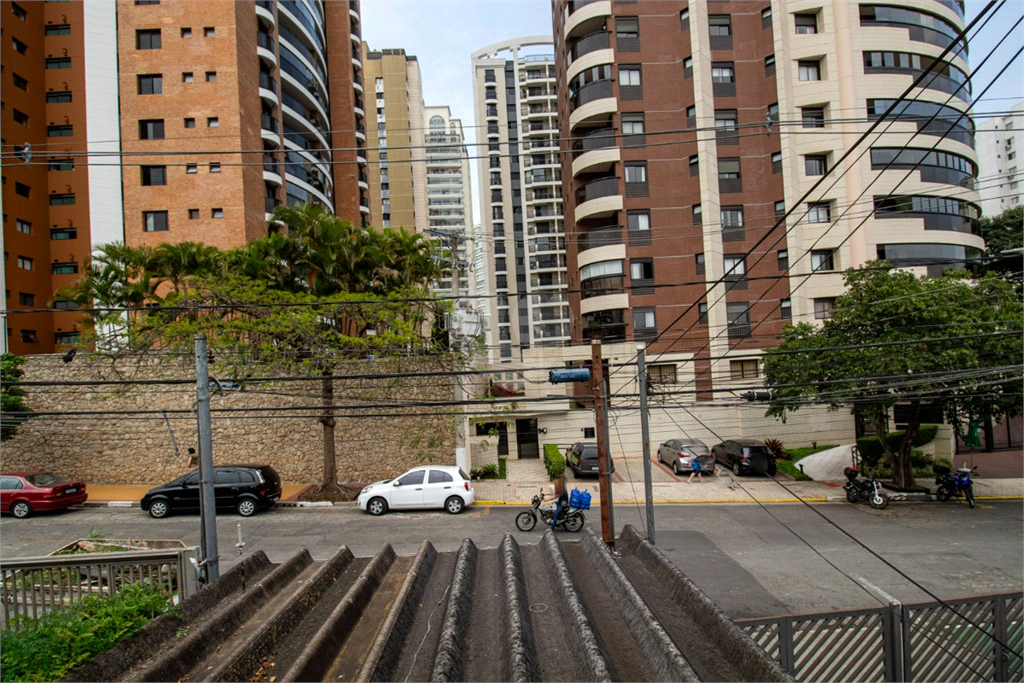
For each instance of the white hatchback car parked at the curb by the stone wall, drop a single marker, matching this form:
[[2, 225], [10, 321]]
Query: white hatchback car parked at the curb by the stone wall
[[425, 487]]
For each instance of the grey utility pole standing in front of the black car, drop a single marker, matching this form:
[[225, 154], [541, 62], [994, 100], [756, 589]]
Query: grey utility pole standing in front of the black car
[[210, 564]]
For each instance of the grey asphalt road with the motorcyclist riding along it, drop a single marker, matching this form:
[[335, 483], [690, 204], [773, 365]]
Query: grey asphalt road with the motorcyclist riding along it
[[752, 561]]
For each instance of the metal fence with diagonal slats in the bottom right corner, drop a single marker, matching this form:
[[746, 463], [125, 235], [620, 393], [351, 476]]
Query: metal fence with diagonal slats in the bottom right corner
[[912, 643]]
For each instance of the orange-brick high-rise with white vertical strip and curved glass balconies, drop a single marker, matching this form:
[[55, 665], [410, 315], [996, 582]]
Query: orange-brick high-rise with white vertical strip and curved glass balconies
[[219, 113]]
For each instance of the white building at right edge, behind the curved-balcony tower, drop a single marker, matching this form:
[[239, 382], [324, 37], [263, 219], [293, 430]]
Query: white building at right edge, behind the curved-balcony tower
[[1001, 142]]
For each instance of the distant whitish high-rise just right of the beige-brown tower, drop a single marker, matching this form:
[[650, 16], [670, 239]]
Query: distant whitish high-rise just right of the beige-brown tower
[[450, 203]]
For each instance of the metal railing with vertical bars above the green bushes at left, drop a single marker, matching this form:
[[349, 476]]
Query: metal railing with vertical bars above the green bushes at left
[[35, 585]]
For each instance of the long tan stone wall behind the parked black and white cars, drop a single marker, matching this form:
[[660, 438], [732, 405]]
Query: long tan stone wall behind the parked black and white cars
[[138, 449]]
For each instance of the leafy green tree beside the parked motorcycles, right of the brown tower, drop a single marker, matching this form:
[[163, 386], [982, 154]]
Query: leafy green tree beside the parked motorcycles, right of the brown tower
[[895, 338]]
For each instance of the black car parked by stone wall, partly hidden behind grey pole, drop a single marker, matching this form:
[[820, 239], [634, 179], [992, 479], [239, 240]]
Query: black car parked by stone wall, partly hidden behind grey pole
[[245, 489]]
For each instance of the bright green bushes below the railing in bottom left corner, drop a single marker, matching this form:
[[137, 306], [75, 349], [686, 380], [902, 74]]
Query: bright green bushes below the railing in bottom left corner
[[46, 650]]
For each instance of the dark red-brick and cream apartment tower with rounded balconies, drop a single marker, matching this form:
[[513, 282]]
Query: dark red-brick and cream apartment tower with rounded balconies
[[696, 125]]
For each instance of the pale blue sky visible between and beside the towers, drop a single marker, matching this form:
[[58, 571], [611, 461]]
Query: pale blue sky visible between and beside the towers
[[443, 34]]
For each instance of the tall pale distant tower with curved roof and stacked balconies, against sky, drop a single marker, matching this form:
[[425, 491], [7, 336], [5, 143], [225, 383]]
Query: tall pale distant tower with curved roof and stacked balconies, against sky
[[516, 97]]
